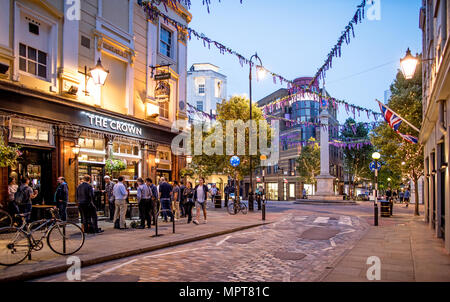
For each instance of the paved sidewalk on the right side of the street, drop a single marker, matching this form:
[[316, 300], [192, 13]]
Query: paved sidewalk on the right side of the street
[[407, 248]]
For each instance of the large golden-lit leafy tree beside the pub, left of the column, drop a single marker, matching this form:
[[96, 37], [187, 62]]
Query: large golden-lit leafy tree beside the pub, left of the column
[[235, 109]]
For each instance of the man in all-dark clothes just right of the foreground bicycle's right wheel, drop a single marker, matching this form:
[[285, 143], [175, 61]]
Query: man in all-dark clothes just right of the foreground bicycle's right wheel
[[88, 211]]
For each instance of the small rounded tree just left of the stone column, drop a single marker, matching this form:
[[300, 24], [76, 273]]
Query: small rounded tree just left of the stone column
[[309, 162]]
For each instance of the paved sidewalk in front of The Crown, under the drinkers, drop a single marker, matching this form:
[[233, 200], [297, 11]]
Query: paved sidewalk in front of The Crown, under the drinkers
[[115, 244]]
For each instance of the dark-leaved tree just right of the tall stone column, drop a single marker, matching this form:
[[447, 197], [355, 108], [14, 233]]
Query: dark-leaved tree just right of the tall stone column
[[357, 161]]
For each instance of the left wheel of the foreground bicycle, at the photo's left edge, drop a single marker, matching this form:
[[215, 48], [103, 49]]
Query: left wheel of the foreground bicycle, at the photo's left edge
[[15, 246]]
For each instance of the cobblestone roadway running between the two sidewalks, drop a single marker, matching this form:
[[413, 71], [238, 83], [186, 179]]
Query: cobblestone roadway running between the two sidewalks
[[300, 246]]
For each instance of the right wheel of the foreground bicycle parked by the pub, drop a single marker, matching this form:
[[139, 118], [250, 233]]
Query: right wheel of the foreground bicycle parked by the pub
[[65, 238]]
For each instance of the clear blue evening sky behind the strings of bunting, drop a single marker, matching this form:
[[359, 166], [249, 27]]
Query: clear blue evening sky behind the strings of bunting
[[293, 37]]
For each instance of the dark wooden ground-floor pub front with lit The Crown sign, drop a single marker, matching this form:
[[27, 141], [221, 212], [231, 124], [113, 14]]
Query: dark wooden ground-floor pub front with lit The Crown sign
[[59, 137]]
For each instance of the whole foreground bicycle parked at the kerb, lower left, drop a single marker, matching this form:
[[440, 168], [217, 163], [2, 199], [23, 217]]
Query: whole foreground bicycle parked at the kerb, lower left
[[16, 244]]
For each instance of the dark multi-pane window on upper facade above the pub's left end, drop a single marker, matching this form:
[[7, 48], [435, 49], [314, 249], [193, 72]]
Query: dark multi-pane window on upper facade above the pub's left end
[[33, 61]]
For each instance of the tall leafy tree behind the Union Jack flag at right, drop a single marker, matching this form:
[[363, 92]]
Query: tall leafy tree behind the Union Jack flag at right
[[398, 154]]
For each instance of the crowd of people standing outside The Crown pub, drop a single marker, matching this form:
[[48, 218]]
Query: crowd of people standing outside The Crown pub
[[171, 201]]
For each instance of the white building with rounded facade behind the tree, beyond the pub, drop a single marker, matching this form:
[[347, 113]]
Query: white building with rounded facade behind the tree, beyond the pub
[[206, 87]]
